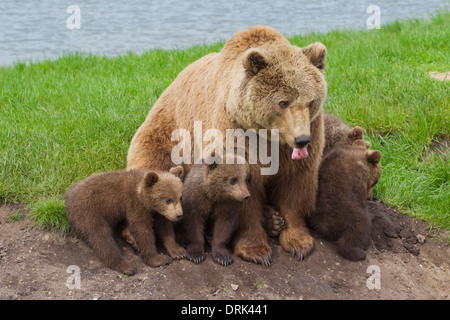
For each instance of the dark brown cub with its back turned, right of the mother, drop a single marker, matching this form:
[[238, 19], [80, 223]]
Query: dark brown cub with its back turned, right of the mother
[[347, 175]]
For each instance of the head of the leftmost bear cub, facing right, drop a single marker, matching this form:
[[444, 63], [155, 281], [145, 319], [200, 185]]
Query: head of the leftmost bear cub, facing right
[[162, 193]]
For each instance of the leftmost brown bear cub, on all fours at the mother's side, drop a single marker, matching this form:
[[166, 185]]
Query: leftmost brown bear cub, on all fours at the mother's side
[[136, 199]]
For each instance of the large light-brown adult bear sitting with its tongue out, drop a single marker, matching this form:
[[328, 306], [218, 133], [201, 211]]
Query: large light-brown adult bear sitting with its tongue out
[[259, 81]]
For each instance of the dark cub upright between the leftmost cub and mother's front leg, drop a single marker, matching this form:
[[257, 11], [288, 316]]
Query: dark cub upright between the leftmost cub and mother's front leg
[[213, 191]]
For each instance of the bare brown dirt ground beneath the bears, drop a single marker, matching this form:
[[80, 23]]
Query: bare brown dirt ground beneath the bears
[[42, 264]]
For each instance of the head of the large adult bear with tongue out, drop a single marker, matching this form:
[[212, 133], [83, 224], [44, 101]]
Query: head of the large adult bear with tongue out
[[284, 89]]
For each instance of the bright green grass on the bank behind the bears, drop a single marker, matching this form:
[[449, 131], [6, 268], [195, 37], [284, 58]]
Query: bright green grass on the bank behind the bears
[[63, 120]]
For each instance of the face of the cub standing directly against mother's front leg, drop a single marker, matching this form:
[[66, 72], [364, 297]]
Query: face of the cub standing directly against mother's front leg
[[227, 181]]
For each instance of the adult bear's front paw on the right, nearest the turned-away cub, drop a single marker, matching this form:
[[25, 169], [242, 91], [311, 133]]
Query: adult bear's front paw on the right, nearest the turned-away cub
[[296, 241]]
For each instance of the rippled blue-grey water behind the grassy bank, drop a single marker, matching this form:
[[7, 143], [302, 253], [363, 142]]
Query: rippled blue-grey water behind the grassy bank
[[37, 29]]
